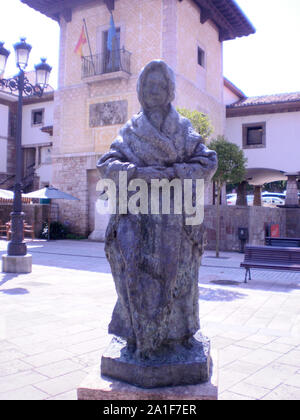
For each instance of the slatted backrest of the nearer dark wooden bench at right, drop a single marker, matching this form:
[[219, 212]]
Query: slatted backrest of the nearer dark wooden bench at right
[[272, 254]]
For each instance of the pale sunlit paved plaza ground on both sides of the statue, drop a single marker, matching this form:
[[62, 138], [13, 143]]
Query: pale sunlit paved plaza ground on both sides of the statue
[[53, 323]]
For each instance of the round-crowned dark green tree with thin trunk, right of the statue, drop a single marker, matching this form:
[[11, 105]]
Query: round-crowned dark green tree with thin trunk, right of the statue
[[231, 169]]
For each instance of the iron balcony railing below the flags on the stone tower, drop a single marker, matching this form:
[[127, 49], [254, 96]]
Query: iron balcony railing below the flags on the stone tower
[[108, 62]]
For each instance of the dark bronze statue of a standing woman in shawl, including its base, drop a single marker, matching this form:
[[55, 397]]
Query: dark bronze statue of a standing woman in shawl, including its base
[[155, 258]]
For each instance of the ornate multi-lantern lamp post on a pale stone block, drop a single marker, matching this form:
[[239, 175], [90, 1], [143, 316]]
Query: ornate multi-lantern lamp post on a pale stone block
[[15, 260]]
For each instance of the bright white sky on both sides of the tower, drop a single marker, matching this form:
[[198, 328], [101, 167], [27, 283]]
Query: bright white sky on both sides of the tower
[[265, 63]]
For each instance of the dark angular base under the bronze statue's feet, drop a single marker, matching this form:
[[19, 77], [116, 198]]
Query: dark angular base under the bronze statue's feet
[[182, 366]]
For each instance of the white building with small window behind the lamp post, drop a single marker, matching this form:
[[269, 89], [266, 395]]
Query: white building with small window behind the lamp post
[[37, 131]]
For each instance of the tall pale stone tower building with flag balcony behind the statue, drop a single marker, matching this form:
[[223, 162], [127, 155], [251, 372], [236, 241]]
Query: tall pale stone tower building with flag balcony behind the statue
[[95, 97]]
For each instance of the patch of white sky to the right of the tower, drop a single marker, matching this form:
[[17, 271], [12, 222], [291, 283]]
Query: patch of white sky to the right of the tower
[[267, 62]]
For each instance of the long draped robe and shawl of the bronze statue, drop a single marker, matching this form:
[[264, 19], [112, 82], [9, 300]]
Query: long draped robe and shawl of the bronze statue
[[155, 258]]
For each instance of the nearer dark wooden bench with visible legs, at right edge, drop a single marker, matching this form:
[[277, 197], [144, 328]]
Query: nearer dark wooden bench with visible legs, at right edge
[[270, 257]]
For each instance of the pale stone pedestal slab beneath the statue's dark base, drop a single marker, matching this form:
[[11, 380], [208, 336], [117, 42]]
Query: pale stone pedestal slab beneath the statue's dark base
[[97, 387]]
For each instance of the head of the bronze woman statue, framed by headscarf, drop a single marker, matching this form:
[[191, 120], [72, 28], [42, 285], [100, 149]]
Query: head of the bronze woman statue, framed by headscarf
[[156, 85]]
